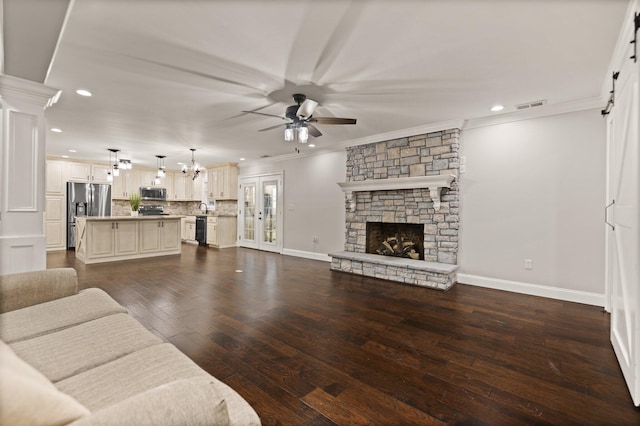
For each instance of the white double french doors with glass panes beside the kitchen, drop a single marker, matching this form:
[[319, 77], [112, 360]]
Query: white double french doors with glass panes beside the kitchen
[[260, 212]]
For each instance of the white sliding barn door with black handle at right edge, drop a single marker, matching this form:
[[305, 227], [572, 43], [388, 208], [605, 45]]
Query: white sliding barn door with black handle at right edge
[[622, 264]]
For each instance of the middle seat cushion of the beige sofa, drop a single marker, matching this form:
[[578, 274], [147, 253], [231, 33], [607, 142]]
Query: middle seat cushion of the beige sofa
[[75, 349]]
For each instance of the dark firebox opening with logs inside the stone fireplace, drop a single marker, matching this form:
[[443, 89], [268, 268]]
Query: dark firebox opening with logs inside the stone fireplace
[[396, 239]]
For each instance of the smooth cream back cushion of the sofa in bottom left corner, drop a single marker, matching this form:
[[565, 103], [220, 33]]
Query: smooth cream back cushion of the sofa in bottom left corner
[[28, 398]]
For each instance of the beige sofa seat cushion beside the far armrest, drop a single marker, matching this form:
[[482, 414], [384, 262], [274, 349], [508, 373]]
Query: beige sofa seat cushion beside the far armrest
[[57, 314]]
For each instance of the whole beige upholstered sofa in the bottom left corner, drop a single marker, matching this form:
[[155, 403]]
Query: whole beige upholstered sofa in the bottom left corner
[[69, 357]]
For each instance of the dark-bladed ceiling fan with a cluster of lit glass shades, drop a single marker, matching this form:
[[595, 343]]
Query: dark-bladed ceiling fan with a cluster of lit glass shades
[[300, 117]]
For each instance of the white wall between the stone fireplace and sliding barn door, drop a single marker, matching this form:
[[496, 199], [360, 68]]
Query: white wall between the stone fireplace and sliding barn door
[[535, 189]]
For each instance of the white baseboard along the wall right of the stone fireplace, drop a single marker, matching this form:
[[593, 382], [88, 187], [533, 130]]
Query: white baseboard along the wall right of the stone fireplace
[[534, 289]]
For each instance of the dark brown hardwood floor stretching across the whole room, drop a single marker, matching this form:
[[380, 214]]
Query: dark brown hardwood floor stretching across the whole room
[[308, 346]]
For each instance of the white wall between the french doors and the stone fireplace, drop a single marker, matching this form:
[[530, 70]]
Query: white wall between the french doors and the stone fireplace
[[313, 202]]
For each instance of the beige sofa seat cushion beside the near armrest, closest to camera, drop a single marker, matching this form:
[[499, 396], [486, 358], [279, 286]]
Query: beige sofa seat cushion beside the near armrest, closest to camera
[[145, 369]]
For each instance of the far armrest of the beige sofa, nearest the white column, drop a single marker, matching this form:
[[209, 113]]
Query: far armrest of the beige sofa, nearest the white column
[[30, 288]]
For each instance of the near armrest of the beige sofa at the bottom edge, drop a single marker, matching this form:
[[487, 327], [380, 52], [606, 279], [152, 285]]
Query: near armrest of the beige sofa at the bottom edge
[[193, 401]]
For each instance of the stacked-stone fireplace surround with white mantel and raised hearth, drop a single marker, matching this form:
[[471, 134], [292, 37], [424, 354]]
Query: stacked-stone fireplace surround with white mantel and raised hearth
[[405, 180]]
